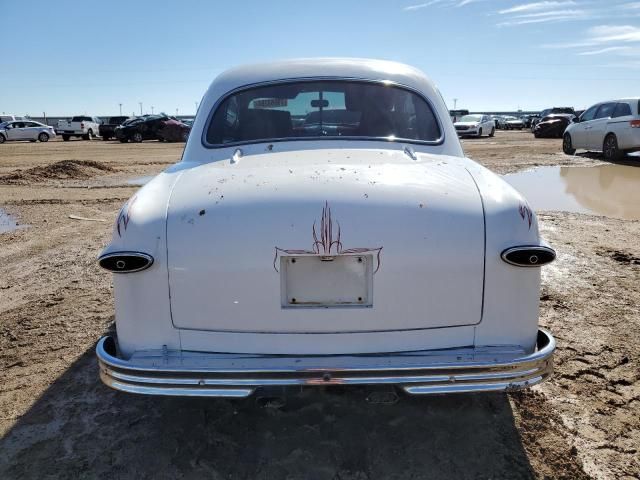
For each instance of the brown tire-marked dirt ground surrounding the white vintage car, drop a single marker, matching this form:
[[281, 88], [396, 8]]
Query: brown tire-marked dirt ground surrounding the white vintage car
[[58, 421]]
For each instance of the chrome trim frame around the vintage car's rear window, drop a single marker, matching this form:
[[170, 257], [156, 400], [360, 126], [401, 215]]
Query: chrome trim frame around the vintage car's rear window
[[387, 83]]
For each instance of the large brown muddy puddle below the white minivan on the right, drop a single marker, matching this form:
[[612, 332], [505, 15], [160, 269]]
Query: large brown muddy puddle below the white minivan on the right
[[608, 190]]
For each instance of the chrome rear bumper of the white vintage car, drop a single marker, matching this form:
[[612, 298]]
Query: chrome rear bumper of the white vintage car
[[181, 373]]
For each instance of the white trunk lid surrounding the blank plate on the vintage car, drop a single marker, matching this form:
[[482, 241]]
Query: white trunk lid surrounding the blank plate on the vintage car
[[420, 212]]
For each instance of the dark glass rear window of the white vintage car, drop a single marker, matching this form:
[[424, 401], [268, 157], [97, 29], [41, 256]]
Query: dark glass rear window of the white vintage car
[[325, 109]]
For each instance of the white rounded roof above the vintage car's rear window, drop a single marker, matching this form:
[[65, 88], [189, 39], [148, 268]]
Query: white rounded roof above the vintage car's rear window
[[312, 68]]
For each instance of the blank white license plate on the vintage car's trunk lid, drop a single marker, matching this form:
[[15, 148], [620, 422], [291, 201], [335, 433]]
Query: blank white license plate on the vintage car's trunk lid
[[337, 281]]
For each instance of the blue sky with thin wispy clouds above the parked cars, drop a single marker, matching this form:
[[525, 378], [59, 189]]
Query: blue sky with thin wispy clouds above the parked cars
[[66, 57]]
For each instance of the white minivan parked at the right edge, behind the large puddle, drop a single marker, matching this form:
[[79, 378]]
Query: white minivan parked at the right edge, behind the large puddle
[[610, 127]]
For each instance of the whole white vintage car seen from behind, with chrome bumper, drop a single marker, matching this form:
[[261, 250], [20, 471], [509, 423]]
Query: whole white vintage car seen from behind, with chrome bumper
[[324, 227]]
